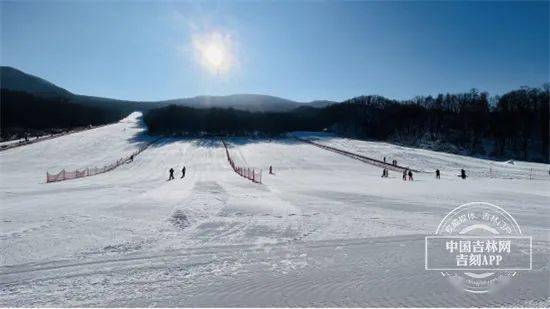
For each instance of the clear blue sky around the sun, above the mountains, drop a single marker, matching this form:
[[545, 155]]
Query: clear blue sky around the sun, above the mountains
[[301, 51]]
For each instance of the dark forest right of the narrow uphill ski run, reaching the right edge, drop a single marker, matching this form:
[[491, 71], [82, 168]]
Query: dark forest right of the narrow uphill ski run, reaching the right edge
[[514, 125]]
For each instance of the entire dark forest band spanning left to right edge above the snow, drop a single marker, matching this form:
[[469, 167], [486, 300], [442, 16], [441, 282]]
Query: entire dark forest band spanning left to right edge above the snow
[[513, 125]]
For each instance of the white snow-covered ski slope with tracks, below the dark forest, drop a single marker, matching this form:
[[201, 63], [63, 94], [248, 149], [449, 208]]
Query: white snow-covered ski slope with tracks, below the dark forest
[[324, 230]]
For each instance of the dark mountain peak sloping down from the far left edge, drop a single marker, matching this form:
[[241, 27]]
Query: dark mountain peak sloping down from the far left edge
[[15, 80]]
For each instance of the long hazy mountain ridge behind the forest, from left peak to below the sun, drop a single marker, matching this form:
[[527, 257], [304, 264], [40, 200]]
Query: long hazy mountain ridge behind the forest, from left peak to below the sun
[[16, 80]]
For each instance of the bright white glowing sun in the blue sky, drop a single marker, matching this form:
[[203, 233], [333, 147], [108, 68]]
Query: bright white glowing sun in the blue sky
[[213, 52]]
